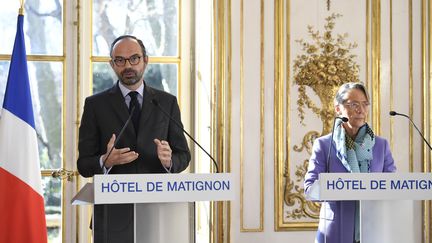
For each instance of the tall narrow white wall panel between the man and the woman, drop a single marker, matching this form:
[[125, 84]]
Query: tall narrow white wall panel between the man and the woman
[[251, 115]]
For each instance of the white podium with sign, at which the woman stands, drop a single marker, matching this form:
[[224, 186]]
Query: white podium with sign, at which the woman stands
[[387, 201]]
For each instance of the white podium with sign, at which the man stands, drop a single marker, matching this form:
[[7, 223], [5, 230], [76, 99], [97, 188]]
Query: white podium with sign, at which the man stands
[[161, 202]]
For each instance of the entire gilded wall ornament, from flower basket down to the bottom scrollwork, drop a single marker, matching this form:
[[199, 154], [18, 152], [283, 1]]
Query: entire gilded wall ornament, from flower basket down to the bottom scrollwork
[[325, 65]]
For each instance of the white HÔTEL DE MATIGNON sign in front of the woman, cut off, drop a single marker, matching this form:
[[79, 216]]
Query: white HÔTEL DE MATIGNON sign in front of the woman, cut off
[[375, 186]]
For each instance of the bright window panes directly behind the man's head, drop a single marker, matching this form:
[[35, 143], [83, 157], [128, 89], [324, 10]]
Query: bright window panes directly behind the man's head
[[156, 23]]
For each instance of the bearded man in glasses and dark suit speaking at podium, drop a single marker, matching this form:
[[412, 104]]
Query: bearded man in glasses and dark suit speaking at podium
[[151, 143]]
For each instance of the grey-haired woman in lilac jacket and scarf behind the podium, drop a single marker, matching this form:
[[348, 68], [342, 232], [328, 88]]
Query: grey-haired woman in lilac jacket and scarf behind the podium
[[355, 149]]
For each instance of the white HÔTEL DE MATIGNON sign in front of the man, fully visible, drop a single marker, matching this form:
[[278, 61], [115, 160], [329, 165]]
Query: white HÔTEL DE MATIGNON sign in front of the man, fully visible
[[151, 188]]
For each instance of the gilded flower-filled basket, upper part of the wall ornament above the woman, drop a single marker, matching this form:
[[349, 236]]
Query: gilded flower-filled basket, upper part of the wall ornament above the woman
[[325, 65]]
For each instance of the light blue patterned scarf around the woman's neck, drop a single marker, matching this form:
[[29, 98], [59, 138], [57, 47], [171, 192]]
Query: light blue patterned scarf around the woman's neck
[[355, 155]]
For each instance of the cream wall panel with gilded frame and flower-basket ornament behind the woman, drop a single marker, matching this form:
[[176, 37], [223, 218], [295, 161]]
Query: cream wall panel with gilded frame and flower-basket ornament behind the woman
[[322, 51]]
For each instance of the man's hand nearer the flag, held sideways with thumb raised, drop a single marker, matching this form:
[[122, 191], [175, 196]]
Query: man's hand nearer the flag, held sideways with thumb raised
[[118, 156]]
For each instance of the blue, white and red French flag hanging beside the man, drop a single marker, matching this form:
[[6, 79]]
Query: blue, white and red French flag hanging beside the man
[[22, 217]]
